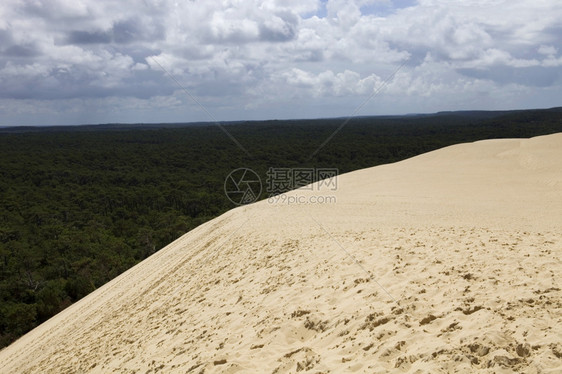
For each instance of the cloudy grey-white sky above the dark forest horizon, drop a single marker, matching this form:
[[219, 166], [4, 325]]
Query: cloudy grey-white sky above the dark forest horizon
[[100, 61]]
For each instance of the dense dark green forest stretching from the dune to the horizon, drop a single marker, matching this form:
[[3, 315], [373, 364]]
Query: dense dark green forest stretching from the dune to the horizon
[[78, 206]]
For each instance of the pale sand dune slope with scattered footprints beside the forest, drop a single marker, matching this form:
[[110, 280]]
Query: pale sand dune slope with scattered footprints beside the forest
[[446, 262]]
